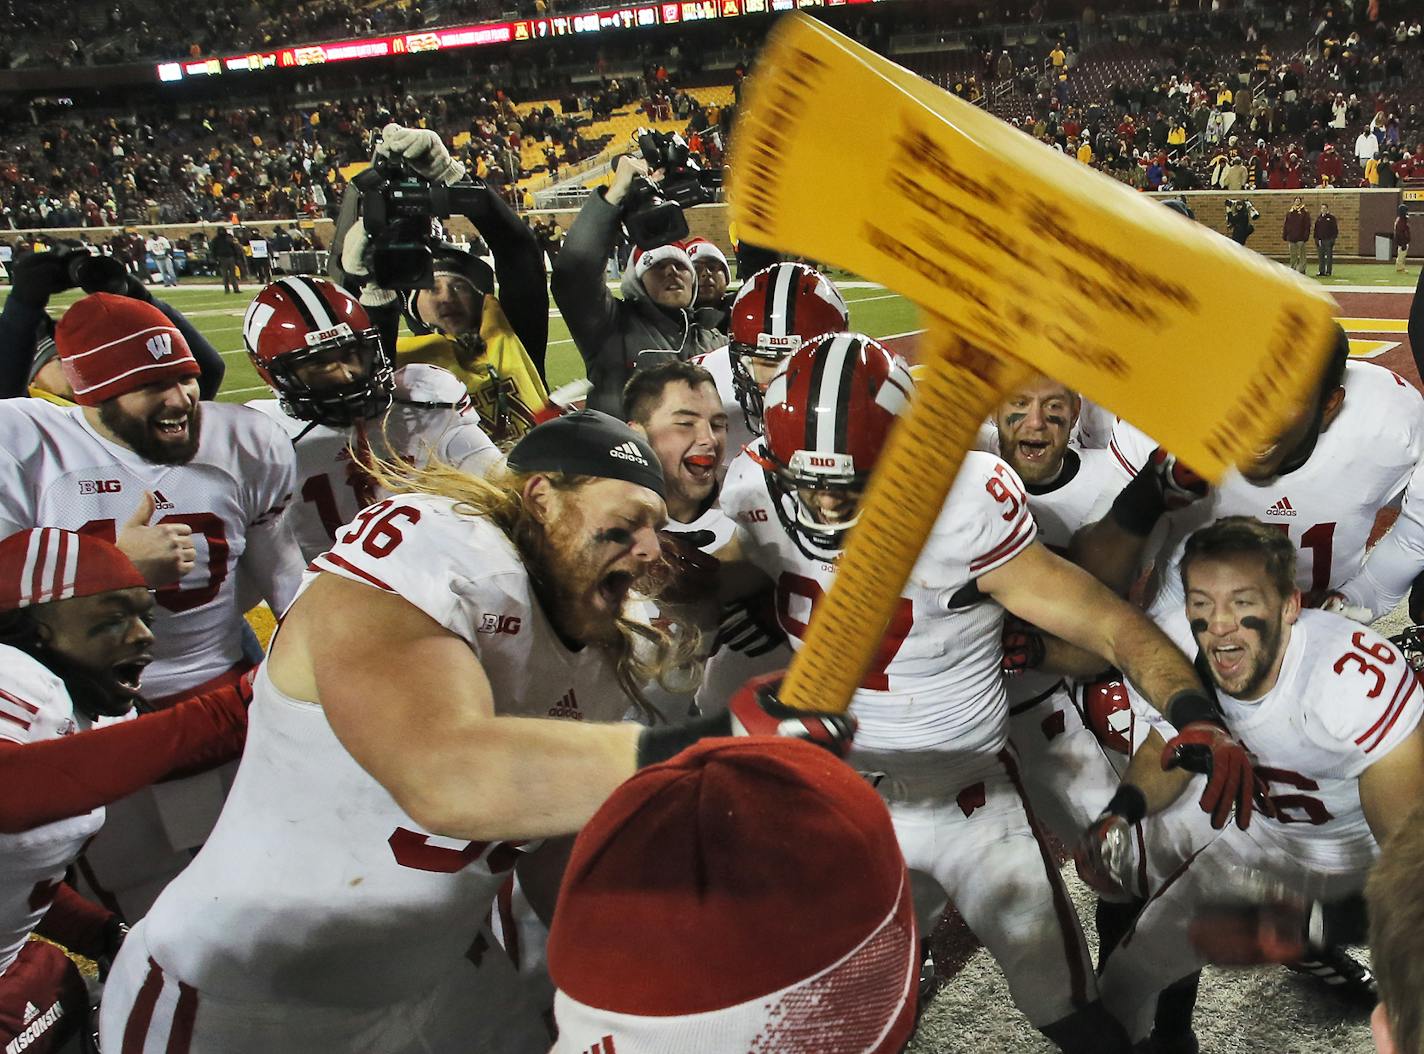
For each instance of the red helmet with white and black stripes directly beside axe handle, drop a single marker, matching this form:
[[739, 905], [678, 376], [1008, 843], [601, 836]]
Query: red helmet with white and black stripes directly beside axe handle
[[829, 411]]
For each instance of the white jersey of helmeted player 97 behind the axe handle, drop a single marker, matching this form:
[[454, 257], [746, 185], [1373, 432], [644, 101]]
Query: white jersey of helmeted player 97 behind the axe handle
[[936, 683]]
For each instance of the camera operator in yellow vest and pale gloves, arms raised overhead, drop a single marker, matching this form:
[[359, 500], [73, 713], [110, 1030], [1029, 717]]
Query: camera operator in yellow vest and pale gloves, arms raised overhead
[[496, 345]]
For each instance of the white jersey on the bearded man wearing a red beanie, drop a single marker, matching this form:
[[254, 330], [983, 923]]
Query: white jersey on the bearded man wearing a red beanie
[[58, 472]]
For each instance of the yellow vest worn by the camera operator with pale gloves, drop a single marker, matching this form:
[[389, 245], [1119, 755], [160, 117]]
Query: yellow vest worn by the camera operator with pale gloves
[[499, 374]]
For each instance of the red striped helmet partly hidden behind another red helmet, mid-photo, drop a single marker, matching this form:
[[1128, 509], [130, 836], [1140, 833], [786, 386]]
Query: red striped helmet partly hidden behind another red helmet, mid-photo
[[780, 310]]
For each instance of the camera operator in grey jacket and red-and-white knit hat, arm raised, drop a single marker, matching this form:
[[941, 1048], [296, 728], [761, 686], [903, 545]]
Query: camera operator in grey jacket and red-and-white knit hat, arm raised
[[657, 310]]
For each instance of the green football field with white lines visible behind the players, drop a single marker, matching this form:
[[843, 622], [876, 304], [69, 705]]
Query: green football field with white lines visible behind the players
[[874, 310]]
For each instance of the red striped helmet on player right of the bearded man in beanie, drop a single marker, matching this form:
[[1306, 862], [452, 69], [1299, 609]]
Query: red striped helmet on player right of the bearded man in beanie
[[298, 324]]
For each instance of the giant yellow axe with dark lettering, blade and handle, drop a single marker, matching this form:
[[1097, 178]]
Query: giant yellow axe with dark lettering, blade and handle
[[1029, 263]]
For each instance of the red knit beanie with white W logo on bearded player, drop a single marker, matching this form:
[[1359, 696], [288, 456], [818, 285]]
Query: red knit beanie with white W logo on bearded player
[[112, 345]]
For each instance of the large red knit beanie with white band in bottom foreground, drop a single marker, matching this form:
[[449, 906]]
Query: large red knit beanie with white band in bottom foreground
[[745, 895]]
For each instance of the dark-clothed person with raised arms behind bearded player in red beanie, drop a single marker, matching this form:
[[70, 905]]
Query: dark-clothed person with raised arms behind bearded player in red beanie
[[41, 276]]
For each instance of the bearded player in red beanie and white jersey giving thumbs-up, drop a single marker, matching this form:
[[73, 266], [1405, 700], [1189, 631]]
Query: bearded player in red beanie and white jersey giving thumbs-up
[[193, 494]]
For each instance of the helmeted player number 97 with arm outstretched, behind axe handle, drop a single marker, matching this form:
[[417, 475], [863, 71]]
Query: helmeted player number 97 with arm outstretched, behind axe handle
[[932, 711]]
